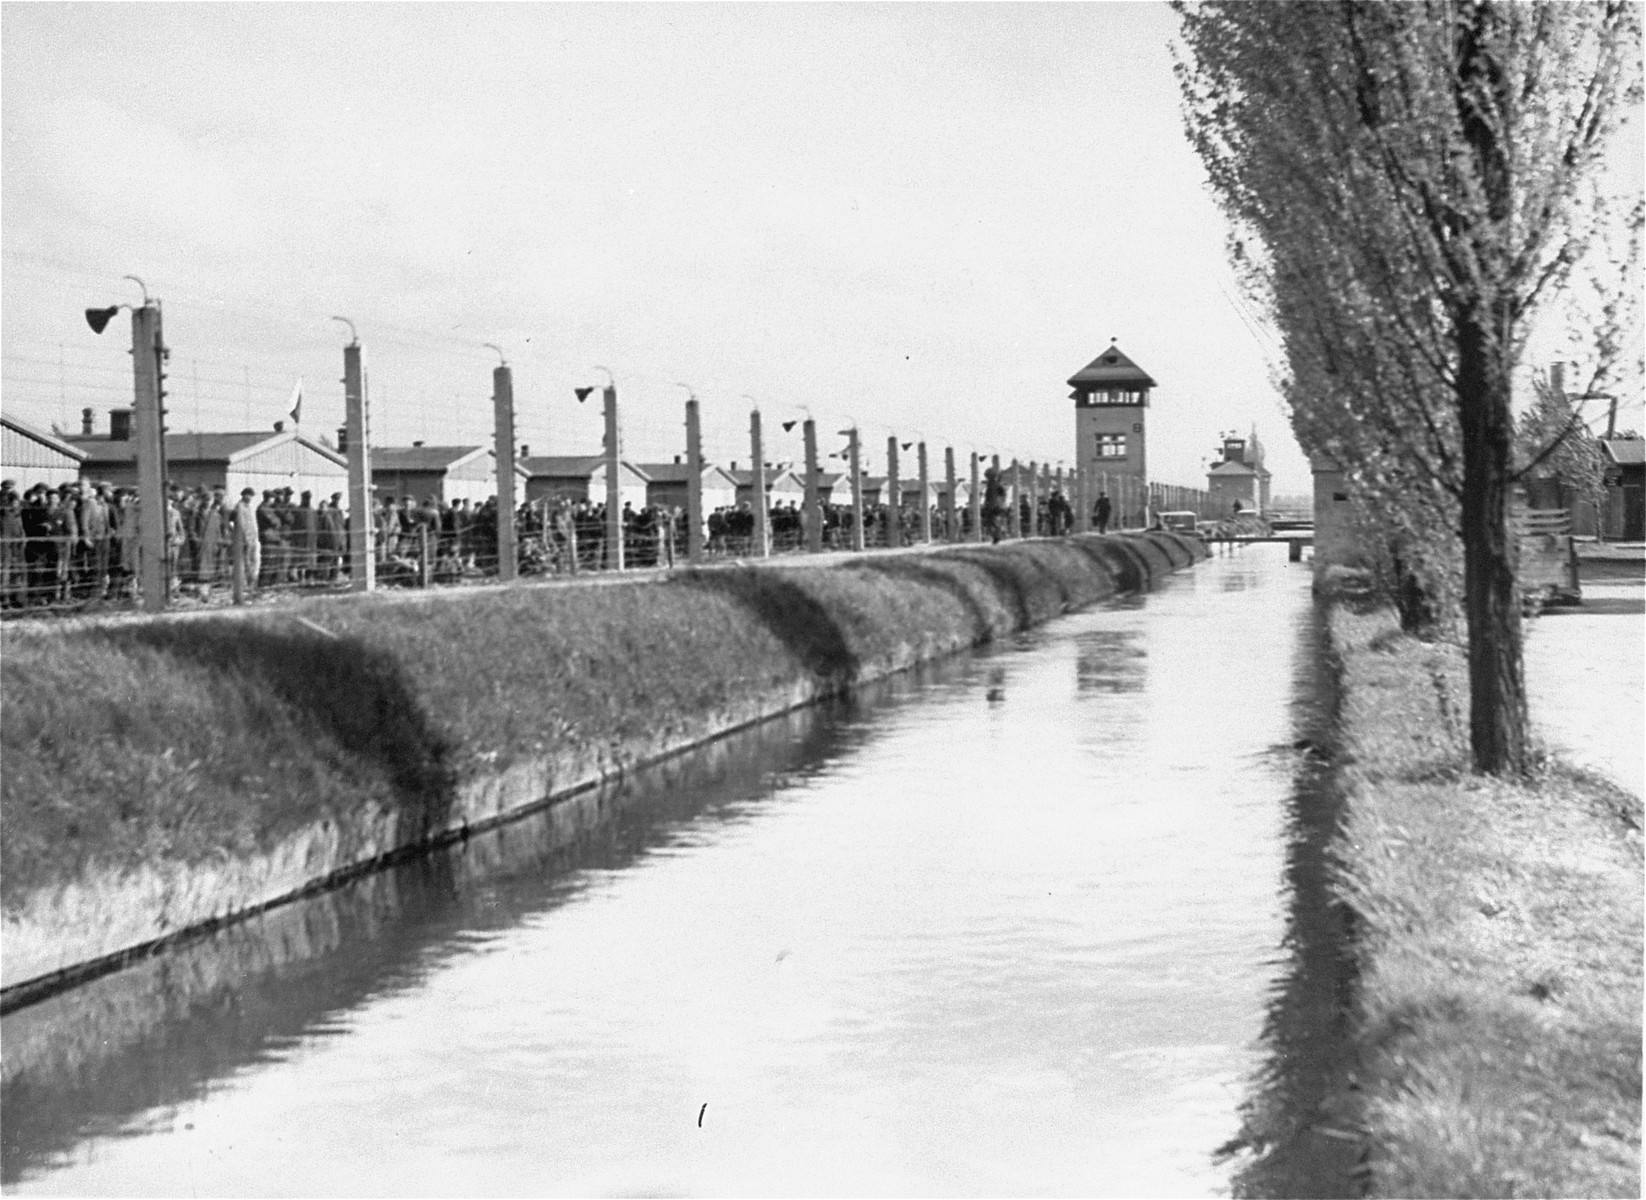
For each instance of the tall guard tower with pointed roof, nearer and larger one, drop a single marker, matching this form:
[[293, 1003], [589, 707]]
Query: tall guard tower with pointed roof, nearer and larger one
[[1112, 396]]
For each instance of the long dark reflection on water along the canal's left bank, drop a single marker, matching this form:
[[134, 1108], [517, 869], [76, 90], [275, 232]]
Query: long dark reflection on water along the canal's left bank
[[169, 1030]]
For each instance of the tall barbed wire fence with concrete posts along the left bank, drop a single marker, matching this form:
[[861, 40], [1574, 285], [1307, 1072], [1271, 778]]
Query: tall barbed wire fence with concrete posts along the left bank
[[72, 546]]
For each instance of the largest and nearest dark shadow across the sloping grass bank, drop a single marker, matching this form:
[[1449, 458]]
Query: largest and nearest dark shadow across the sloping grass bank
[[338, 692]]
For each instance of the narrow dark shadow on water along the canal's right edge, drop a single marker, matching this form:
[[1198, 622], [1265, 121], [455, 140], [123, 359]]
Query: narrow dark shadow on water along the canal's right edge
[[1298, 1128]]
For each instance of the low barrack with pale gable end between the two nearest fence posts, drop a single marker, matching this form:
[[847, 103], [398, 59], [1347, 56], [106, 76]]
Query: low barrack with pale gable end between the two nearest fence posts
[[263, 460]]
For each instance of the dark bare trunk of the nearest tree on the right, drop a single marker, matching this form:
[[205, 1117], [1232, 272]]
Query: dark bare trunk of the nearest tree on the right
[[1497, 689]]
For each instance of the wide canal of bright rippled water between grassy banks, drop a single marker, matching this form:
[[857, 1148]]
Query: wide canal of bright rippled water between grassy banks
[[1015, 924]]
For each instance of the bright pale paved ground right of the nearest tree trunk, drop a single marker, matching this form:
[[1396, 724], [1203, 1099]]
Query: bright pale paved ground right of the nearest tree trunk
[[1584, 681]]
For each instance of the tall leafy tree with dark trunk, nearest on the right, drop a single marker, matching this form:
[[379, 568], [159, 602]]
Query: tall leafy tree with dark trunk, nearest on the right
[[1410, 184]]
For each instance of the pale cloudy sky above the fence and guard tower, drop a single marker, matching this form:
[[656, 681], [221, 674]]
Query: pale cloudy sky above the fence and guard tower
[[918, 220]]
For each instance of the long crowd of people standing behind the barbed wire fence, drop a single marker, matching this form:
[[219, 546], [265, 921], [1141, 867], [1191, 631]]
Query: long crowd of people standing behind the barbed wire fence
[[78, 542]]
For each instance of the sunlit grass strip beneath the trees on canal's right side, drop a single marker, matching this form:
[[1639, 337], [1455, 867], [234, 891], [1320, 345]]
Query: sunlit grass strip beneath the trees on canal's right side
[[1499, 934]]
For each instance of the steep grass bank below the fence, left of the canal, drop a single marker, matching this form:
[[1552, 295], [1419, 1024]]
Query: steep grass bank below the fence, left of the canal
[[169, 774]]
